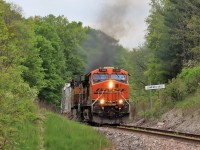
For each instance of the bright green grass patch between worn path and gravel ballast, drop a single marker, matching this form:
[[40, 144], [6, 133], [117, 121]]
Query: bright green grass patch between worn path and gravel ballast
[[64, 134]]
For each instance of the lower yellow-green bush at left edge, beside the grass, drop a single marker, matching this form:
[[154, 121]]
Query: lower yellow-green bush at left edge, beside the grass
[[15, 107]]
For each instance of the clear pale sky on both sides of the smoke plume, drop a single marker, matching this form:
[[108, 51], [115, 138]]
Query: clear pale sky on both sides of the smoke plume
[[87, 11]]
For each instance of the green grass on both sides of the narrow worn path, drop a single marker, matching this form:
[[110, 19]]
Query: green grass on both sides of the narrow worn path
[[58, 133]]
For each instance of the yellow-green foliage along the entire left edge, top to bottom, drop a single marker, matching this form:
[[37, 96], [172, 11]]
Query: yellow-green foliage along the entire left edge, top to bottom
[[16, 96]]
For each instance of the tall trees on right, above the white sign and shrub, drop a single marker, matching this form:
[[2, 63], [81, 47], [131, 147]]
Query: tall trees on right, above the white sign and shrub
[[172, 28]]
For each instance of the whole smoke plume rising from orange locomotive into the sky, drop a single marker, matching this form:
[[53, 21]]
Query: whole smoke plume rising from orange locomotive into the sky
[[116, 20]]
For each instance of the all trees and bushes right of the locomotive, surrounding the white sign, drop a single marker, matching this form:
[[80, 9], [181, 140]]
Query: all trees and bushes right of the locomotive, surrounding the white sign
[[171, 56]]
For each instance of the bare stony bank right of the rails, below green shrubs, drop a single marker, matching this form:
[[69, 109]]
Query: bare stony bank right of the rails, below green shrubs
[[176, 120]]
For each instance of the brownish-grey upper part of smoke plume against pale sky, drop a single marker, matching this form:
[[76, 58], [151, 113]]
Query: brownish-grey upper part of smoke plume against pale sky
[[114, 18]]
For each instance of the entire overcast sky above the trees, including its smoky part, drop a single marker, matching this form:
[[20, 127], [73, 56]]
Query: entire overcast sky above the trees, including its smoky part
[[122, 19]]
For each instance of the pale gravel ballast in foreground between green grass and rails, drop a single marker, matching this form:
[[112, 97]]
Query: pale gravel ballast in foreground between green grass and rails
[[124, 140]]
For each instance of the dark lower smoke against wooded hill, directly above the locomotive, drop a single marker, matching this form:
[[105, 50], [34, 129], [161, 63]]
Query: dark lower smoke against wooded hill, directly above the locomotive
[[101, 51]]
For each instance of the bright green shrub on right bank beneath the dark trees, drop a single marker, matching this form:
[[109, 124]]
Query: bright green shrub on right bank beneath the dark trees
[[182, 87]]
